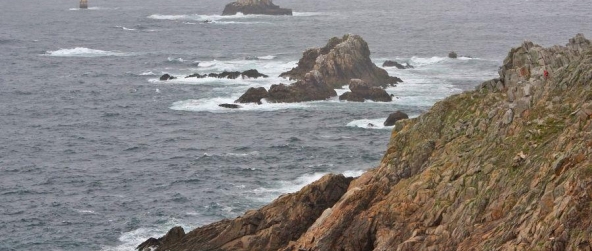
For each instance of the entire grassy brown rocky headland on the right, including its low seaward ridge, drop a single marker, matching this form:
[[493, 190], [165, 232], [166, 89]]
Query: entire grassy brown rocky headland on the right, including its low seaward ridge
[[504, 167]]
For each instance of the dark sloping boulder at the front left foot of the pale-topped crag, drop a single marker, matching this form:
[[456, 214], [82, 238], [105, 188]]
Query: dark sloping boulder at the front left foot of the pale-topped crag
[[312, 87]]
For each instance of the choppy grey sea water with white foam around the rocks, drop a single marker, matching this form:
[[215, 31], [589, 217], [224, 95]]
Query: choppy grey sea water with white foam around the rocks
[[96, 154]]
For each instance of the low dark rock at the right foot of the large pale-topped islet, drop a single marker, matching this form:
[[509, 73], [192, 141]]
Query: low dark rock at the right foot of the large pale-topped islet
[[361, 91]]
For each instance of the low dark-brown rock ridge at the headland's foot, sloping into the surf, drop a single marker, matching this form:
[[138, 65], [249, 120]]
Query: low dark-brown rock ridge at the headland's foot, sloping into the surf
[[269, 228]]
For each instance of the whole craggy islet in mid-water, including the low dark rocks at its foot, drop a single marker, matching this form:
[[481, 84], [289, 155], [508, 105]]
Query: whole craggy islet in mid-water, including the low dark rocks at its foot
[[340, 62]]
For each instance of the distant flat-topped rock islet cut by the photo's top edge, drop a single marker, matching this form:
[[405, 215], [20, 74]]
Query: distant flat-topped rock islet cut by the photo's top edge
[[255, 7]]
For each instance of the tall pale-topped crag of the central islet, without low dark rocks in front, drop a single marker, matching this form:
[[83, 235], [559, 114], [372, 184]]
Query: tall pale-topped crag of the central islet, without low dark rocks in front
[[341, 60]]
